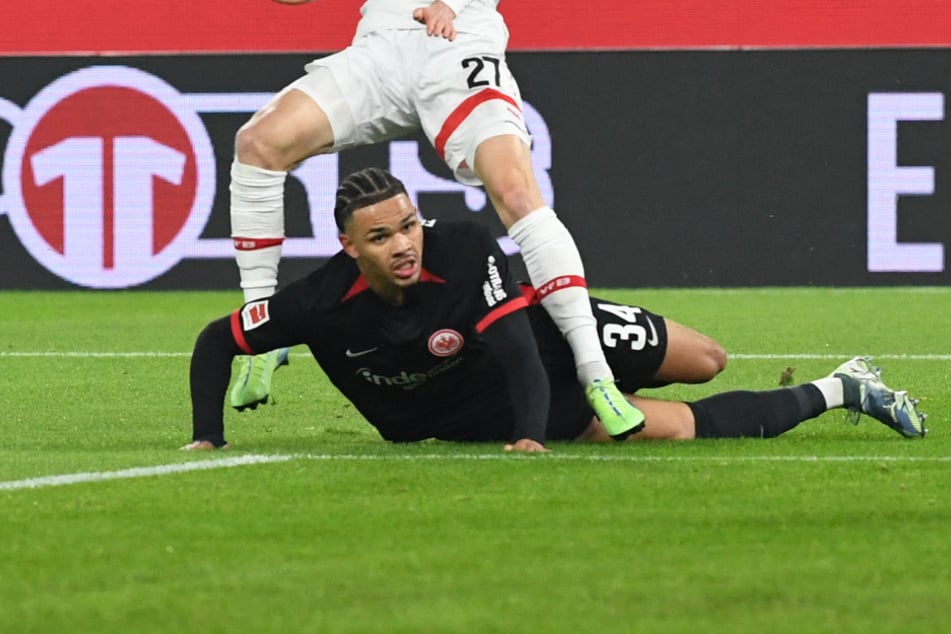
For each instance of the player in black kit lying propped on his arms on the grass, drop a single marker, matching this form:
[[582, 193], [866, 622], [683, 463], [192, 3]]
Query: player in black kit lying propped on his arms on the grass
[[421, 326]]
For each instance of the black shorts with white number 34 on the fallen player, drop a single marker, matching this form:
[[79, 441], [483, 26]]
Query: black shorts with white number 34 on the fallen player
[[634, 342]]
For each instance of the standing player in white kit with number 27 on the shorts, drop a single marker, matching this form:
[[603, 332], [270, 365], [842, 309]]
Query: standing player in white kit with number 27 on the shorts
[[440, 67]]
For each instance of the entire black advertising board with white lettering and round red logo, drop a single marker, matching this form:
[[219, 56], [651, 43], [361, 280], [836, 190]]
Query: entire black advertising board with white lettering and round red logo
[[671, 168]]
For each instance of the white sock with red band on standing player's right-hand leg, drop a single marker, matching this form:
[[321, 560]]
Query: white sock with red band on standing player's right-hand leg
[[556, 271]]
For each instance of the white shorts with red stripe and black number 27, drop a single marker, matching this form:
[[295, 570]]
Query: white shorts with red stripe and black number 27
[[390, 83]]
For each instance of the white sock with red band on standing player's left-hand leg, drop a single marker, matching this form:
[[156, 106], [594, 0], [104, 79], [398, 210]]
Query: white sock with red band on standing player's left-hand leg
[[257, 226]]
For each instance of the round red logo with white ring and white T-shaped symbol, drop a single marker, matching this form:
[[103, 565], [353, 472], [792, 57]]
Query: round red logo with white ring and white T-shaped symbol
[[109, 176]]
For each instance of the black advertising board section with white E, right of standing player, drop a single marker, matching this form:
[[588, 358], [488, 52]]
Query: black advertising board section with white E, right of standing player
[[751, 168]]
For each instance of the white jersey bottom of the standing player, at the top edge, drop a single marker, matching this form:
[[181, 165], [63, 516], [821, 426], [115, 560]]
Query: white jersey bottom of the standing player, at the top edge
[[472, 16]]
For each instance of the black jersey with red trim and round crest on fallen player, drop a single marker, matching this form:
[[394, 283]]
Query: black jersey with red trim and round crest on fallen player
[[418, 370]]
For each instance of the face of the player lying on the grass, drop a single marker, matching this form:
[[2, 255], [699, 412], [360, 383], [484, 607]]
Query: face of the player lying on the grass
[[386, 239]]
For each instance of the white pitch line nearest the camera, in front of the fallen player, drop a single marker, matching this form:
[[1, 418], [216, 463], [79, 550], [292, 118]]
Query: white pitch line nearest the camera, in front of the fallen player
[[251, 459]]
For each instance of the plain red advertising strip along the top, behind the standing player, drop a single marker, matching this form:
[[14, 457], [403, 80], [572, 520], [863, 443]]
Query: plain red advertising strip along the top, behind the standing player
[[114, 26]]
